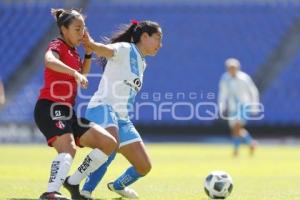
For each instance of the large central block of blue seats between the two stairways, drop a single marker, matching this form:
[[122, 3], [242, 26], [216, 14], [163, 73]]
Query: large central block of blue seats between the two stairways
[[198, 38]]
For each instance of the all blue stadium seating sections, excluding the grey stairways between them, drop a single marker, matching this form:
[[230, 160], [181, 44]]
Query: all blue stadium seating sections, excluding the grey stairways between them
[[197, 40]]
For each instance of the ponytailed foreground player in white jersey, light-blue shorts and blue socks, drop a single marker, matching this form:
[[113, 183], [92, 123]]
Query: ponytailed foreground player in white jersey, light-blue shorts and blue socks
[[121, 81]]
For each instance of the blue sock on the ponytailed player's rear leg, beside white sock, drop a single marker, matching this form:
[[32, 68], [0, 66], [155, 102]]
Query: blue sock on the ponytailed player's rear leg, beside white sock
[[94, 178]]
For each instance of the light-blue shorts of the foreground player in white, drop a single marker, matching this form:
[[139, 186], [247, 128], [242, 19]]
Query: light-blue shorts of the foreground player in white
[[105, 116]]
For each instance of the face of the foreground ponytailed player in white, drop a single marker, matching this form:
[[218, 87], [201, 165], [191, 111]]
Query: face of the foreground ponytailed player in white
[[153, 43]]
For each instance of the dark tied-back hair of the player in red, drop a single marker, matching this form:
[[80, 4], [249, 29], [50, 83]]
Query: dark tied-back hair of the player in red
[[65, 17]]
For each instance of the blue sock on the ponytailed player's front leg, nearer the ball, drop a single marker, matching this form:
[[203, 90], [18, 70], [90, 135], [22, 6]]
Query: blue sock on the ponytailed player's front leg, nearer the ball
[[129, 177]]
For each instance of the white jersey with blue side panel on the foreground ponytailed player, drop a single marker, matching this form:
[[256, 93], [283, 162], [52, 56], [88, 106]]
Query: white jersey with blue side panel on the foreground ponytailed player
[[121, 80]]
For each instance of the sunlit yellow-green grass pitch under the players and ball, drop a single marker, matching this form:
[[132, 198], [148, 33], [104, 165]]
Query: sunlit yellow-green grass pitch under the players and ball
[[177, 174]]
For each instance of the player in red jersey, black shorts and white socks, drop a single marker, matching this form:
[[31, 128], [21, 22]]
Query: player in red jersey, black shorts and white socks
[[54, 114]]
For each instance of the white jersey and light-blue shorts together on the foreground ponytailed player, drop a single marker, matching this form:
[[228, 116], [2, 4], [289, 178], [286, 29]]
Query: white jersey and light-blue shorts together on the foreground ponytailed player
[[121, 81]]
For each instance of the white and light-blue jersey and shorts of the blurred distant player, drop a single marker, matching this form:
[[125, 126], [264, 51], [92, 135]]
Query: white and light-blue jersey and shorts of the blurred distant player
[[235, 94]]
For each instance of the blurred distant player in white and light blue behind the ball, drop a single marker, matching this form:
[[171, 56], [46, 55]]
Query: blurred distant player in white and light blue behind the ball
[[239, 98]]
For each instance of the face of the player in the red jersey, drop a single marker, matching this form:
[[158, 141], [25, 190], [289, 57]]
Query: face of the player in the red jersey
[[74, 33]]
